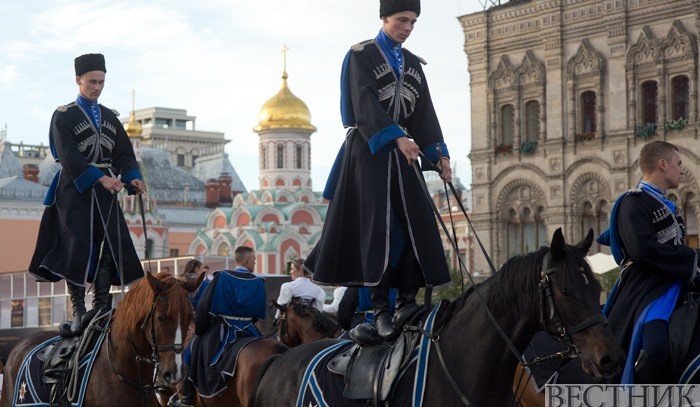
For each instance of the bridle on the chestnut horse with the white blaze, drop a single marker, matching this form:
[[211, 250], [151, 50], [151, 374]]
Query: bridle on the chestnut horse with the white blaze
[[156, 385]]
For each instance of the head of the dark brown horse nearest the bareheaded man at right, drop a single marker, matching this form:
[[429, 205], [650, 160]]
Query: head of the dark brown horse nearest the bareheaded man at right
[[570, 307]]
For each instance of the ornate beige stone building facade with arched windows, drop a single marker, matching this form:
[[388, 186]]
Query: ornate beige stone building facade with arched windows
[[556, 137]]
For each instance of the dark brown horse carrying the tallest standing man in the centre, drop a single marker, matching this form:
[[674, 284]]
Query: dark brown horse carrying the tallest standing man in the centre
[[475, 354]]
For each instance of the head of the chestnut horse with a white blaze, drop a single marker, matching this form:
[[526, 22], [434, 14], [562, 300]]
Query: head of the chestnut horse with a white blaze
[[167, 323]]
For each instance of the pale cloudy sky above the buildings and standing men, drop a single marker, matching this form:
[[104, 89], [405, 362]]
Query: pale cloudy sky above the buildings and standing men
[[220, 60]]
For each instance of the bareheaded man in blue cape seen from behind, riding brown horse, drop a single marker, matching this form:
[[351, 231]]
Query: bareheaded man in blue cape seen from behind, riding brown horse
[[230, 305]]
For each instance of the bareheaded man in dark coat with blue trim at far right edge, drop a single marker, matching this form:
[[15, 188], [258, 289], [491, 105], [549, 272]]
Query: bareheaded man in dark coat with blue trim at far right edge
[[646, 238]]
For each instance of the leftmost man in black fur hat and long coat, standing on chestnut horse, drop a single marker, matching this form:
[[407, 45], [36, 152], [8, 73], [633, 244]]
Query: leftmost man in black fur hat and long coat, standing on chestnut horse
[[83, 237]]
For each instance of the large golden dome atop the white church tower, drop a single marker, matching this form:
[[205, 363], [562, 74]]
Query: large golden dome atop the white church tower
[[284, 111]]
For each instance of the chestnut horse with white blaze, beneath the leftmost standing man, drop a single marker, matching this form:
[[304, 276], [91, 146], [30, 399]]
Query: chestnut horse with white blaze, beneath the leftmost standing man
[[154, 315]]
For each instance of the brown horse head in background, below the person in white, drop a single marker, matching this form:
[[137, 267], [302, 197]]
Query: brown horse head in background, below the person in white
[[301, 323]]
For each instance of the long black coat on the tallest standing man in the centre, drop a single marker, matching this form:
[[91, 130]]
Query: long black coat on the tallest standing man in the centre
[[372, 177]]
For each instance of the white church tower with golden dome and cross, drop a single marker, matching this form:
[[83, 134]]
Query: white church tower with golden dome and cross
[[284, 127]]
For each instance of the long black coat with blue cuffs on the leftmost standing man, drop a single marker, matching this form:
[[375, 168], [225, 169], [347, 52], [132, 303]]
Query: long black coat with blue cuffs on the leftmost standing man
[[71, 229]]
